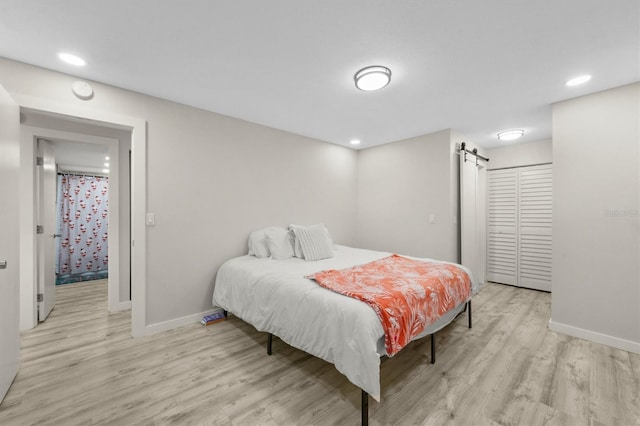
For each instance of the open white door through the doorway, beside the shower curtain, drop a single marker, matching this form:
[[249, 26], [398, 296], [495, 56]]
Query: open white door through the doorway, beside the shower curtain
[[46, 207]]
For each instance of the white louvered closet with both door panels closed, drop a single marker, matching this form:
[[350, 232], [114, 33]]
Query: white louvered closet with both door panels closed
[[519, 226]]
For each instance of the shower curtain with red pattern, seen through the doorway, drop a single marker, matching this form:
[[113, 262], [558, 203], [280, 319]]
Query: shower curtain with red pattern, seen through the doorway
[[82, 250]]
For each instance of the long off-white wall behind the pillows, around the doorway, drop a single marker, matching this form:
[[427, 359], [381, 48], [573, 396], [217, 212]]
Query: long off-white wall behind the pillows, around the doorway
[[211, 180]]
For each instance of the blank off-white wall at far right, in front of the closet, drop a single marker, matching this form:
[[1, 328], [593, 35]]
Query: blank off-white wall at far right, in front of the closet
[[596, 236]]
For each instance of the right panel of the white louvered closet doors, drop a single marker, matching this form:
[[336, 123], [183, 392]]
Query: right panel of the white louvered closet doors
[[535, 214]]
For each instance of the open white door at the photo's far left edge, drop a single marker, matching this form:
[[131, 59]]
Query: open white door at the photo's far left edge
[[9, 240]]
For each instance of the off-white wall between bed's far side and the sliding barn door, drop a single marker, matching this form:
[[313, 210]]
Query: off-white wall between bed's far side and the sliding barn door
[[399, 186]]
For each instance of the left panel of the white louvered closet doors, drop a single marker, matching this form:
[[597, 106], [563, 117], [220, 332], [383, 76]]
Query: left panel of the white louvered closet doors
[[502, 217]]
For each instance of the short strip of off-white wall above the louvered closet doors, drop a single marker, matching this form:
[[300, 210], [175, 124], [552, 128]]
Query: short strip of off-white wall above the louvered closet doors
[[524, 154]]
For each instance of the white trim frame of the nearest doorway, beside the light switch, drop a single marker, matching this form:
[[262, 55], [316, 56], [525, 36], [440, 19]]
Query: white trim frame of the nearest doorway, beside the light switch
[[138, 130]]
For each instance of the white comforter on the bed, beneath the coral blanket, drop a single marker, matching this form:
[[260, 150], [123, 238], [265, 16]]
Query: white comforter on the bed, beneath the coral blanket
[[274, 297]]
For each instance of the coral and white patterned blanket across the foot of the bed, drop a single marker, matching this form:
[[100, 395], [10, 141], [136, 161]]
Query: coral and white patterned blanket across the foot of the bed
[[406, 294]]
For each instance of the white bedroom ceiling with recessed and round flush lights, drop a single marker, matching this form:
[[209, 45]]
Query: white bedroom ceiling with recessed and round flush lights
[[478, 67]]
